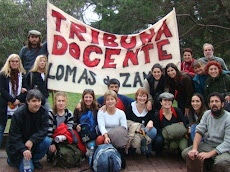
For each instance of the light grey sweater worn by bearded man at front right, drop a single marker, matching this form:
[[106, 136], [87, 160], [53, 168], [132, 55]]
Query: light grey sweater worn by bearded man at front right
[[218, 130]]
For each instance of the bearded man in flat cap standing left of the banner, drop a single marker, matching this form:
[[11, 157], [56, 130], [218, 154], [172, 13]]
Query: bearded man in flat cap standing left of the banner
[[33, 49]]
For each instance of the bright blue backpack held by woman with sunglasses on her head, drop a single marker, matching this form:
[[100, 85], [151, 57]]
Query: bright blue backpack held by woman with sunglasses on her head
[[88, 127]]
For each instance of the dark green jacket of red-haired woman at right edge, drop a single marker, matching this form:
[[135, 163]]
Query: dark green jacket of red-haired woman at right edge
[[220, 84]]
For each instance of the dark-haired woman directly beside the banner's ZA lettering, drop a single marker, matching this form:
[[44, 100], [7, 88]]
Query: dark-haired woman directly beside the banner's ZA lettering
[[154, 84]]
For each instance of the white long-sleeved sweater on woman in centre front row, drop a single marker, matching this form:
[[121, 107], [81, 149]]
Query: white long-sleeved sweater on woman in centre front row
[[107, 122]]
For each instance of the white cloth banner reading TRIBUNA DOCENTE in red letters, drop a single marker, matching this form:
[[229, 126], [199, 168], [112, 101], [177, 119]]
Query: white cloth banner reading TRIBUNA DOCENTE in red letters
[[83, 57]]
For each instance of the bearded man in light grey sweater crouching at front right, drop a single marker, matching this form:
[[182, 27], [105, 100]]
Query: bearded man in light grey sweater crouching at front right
[[215, 128]]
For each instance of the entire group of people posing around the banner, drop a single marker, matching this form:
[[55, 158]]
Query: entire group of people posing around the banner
[[150, 121]]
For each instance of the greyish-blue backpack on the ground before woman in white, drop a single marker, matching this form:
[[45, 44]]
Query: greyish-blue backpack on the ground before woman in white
[[106, 159]]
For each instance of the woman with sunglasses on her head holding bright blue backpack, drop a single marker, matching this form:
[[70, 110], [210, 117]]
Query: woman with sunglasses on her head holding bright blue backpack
[[87, 117]]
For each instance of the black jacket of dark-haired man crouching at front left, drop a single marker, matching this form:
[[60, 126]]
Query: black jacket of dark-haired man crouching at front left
[[25, 126]]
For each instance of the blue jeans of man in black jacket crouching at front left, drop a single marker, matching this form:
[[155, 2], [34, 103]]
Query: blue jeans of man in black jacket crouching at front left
[[38, 152]]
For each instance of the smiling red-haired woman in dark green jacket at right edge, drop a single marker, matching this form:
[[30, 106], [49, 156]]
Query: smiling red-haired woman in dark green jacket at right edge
[[217, 80]]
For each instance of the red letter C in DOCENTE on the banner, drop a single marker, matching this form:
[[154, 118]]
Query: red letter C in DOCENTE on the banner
[[86, 55]]
